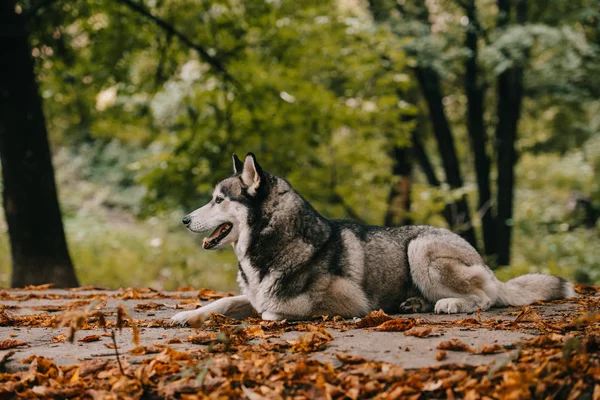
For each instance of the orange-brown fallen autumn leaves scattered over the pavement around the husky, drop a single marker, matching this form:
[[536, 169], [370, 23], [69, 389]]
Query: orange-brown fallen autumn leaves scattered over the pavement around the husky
[[248, 359]]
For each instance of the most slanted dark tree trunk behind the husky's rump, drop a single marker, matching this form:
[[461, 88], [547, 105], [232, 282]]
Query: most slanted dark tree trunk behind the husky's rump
[[430, 86]]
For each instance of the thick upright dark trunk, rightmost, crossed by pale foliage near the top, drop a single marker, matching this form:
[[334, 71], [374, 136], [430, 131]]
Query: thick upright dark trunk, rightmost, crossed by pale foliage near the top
[[510, 94]]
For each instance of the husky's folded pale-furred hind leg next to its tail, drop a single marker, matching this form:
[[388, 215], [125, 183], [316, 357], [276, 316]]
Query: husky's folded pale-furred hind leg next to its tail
[[451, 274]]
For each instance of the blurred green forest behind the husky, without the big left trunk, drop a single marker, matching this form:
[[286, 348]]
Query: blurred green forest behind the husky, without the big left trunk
[[478, 115]]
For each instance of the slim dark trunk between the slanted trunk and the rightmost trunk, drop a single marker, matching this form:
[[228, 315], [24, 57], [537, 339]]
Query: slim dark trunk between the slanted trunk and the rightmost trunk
[[476, 130]]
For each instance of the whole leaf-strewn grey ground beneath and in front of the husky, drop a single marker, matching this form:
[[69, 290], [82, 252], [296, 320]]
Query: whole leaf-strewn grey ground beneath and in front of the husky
[[559, 357]]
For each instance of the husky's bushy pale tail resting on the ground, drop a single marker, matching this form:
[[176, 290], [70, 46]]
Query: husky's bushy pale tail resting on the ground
[[529, 288]]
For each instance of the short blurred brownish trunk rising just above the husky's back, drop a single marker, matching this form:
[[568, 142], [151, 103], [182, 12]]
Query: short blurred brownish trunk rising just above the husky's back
[[399, 199]]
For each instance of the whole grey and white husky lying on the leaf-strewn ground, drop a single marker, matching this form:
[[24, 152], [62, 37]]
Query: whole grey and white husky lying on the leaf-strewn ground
[[295, 263]]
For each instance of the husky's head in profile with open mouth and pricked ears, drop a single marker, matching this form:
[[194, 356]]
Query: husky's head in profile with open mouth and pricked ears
[[227, 212]]
